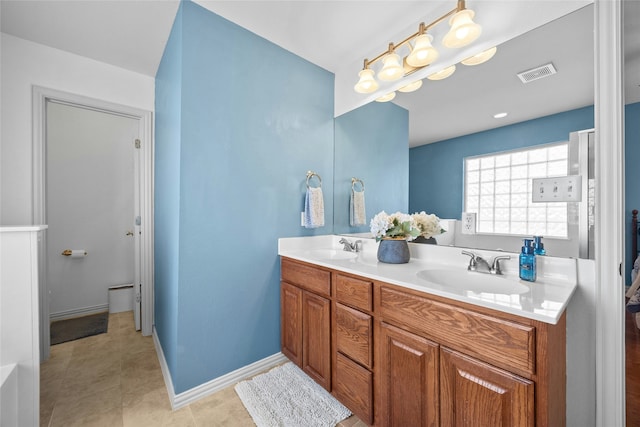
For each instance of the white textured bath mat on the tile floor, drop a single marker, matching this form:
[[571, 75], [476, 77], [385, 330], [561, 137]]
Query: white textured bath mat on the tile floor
[[286, 397]]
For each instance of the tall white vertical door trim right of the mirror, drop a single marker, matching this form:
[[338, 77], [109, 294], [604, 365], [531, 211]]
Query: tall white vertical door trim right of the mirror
[[609, 239]]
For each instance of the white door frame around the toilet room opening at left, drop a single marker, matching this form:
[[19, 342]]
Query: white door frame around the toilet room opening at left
[[40, 96]]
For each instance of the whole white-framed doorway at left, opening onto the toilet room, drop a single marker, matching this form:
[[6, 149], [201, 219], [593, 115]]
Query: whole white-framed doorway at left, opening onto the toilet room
[[89, 216]]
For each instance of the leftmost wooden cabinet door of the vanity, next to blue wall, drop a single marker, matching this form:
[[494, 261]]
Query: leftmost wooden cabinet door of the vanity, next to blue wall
[[291, 322]]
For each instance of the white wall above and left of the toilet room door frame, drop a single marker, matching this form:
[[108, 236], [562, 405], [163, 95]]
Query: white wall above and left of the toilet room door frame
[[25, 64]]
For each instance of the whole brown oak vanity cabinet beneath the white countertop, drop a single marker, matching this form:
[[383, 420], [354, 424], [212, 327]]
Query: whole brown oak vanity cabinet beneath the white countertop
[[400, 357]]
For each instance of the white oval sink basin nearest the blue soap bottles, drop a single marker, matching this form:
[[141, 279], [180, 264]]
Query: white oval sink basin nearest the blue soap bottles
[[473, 281]]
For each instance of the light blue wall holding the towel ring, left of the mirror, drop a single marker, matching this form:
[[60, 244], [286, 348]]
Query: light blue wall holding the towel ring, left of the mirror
[[253, 118]]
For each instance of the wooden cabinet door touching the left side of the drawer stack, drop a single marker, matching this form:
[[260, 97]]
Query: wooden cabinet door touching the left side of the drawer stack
[[316, 338]]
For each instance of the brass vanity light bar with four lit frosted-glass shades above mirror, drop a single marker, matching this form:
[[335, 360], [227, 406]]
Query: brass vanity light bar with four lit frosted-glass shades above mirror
[[421, 52]]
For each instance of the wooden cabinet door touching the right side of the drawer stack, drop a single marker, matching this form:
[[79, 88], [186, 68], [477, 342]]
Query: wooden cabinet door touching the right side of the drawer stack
[[408, 379]]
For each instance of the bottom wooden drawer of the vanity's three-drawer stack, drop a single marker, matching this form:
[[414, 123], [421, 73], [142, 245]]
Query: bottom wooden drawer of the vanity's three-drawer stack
[[353, 386]]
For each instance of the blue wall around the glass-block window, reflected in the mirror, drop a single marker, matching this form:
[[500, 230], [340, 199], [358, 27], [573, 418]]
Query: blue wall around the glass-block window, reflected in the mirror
[[436, 170]]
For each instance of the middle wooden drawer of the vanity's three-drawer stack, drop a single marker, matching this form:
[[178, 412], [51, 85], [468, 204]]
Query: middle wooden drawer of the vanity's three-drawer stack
[[354, 334]]
